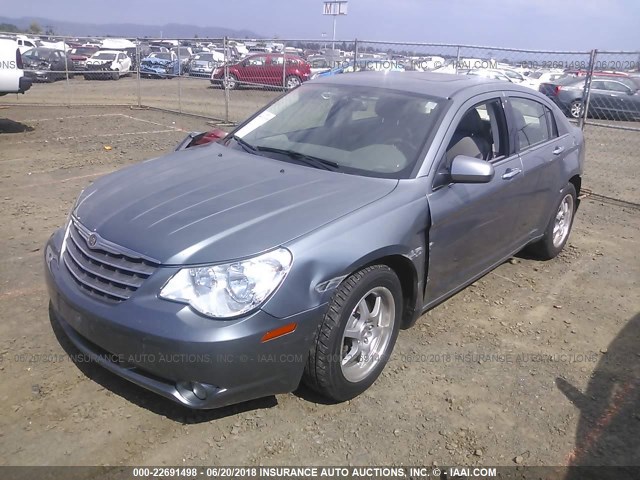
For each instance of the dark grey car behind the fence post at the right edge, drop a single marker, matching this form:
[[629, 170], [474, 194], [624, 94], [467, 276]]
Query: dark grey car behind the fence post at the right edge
[[612, 97]]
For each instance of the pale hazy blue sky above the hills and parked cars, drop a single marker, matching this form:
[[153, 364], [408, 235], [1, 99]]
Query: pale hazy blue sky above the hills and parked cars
[[533, 24]]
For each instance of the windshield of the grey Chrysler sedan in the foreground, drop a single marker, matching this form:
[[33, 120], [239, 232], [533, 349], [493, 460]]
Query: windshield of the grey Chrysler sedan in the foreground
[[360, 130]]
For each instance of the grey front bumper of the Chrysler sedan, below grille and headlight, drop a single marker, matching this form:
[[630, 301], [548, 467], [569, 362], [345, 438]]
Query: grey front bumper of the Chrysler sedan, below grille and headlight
[[169, 349]]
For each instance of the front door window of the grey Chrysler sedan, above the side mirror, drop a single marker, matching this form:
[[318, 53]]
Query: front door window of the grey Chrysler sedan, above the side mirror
[[481, 133]]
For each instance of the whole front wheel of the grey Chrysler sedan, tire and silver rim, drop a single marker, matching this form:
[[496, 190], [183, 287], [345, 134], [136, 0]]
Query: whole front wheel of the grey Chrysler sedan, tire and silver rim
[[337, 366]]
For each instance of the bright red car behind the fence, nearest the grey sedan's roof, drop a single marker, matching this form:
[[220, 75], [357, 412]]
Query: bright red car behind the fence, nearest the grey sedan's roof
[[264, 69]]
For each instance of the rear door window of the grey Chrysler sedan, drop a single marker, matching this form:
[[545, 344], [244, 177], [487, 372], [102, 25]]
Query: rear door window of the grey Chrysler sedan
[[531, 122]]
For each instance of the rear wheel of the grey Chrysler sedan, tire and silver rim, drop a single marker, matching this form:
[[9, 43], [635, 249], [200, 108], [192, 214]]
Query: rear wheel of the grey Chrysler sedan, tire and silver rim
[[559, 227]]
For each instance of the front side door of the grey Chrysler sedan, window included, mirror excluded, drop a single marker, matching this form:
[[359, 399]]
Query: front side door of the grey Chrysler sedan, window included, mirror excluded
[[474, 226]]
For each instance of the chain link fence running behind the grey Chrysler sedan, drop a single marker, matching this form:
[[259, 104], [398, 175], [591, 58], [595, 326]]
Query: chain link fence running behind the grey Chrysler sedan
[[226, 80]]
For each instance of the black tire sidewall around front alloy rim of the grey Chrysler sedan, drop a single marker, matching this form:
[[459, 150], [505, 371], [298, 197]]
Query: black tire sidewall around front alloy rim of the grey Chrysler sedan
[[342, 388]]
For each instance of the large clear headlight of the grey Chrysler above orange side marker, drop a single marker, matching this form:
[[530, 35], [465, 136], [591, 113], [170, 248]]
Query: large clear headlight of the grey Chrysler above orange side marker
[[231, 289]]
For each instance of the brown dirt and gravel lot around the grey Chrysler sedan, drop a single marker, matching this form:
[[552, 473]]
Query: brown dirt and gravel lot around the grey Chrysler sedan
[[536, 363]]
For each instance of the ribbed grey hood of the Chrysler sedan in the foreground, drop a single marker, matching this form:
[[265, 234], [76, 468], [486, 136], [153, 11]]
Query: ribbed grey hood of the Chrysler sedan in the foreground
[[212, 204]]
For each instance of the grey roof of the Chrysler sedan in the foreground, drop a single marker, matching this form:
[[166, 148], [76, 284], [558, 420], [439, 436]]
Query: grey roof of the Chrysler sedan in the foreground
[[442, 85]]
